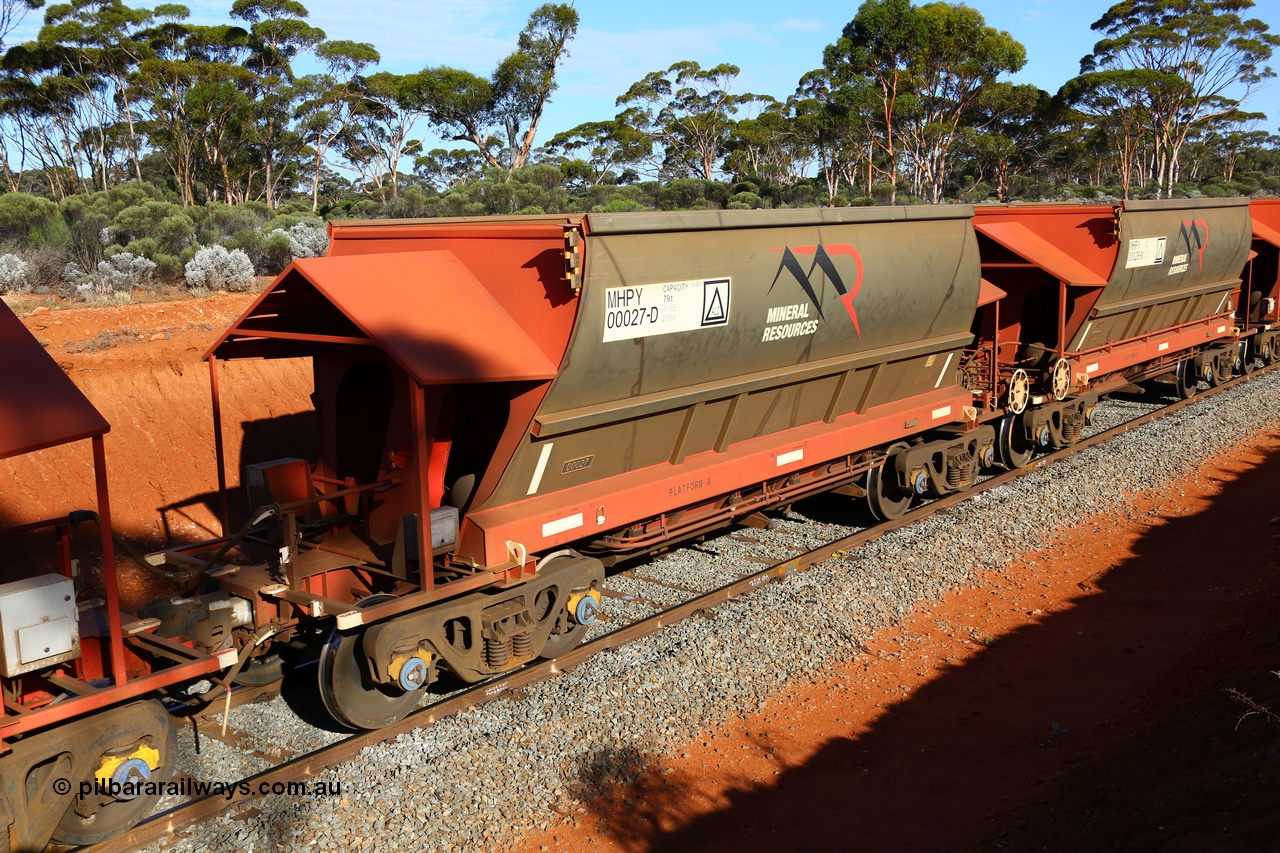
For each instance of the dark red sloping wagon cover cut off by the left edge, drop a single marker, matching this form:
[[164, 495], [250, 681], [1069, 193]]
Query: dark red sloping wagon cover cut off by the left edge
[[40, 407]]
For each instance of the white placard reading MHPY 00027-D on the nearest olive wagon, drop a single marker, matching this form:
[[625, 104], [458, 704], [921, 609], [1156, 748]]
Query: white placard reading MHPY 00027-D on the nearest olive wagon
[[646, 311]]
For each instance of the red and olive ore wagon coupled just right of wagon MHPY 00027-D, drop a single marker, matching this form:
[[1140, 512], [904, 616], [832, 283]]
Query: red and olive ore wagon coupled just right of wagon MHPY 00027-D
[[1098, 298]]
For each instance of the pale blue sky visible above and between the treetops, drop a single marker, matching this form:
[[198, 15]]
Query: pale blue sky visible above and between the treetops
[[620, 42]]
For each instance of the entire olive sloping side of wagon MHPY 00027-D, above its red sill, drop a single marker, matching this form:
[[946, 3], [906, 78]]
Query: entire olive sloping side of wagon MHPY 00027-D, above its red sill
[[705, 330]]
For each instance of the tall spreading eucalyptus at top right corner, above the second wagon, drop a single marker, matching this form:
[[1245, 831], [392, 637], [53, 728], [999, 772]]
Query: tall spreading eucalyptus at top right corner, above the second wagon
[[1183, 63]]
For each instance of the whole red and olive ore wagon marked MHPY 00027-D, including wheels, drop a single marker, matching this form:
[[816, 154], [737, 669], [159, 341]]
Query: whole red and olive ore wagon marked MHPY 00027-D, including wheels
[[491, 393]]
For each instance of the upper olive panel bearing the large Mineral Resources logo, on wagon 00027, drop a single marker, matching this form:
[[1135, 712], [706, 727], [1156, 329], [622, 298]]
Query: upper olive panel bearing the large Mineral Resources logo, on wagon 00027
[[908, 282]]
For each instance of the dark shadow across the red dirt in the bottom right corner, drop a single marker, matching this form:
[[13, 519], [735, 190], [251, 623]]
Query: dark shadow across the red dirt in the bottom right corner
[[1109, 726]]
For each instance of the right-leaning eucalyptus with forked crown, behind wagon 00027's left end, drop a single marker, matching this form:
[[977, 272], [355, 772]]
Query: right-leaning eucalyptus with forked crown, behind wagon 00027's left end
[[501, 115]]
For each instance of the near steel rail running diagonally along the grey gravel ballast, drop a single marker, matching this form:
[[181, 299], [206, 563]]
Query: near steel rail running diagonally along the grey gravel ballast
[[307, 767]]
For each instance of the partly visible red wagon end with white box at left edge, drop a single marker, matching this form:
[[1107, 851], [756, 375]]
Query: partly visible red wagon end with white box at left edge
[[75, 673]]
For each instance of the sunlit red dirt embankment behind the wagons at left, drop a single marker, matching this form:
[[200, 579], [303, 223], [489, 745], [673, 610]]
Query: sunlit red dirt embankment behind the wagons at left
[[153, 387]]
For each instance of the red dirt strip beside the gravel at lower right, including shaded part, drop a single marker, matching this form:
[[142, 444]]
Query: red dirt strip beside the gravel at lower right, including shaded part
[[1081, 703]]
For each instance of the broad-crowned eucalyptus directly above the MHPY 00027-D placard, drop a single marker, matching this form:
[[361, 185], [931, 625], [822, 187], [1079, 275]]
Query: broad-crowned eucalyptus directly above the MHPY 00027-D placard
[[688, 111]]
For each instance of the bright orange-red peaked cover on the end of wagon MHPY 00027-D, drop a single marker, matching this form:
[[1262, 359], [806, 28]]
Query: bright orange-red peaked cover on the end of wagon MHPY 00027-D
[[427, 311]]
